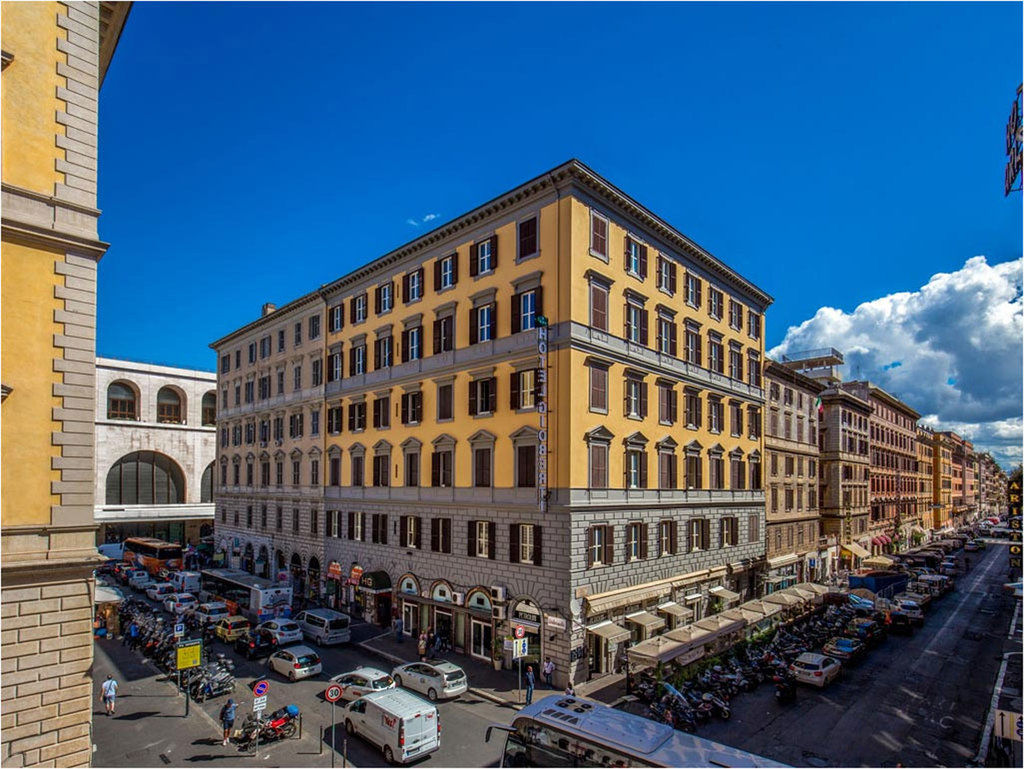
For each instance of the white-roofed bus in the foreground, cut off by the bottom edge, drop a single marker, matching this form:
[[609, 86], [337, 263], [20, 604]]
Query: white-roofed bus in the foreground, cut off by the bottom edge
[[564, 732]]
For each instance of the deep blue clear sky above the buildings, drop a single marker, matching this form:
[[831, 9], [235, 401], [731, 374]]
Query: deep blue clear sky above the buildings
[[834, 154]]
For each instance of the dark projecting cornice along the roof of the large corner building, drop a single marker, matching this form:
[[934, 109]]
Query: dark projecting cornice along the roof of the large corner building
[[559, 178]]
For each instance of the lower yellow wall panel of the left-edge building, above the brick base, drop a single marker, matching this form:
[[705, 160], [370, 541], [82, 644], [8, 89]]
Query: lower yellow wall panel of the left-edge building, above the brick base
[[27, 367]]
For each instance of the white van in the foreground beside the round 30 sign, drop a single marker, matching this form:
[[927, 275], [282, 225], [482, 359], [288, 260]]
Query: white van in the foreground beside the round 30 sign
[[403, 725]]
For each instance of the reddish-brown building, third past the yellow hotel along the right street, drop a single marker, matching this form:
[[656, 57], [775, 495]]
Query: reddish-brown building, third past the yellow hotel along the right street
[[892, 439]]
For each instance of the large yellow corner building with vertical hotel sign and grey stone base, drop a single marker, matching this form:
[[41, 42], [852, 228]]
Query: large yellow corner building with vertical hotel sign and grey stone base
[[545, 413]]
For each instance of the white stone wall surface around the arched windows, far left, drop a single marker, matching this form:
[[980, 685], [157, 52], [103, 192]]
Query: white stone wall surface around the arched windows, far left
[[191, 446]]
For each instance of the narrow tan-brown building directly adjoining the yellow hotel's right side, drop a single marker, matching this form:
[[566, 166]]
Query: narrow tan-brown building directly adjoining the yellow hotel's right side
[[793, 544]]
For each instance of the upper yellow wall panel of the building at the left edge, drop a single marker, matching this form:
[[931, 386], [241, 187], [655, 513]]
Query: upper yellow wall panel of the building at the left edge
[[30, 104]]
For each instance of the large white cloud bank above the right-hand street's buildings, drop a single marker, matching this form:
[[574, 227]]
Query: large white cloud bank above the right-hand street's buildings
[[952, 350]]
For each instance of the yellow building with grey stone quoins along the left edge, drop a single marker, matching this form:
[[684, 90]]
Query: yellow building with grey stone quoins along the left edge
[[55, 58]]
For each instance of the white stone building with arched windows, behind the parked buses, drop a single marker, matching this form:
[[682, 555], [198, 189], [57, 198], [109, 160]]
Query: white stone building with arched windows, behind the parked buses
[[156, 445]]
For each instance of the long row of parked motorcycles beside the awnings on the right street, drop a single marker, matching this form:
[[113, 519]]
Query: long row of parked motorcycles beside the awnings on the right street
[[697, 700]]
